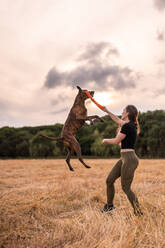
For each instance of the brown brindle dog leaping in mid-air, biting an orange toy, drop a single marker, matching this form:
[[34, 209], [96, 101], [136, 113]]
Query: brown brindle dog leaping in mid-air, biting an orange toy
[[76, 119]]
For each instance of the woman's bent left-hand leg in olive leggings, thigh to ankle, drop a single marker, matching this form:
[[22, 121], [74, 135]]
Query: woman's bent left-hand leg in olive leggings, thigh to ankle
[[113, 175]]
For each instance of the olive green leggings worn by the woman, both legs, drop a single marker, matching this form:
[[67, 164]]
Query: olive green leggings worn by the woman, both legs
[[125, 169]]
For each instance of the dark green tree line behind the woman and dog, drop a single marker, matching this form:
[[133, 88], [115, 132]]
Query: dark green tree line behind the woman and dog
[[26, 143]]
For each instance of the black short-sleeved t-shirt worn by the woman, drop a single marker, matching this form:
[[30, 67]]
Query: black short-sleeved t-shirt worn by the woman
[[130, 129]]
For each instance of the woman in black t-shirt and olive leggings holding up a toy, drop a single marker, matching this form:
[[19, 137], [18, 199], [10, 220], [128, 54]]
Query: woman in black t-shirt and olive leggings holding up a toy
[[128, 162]]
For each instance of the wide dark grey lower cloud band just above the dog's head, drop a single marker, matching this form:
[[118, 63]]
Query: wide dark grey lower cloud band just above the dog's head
[[103, 76]]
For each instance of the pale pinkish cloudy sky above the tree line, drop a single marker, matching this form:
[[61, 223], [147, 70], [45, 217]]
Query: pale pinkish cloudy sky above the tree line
[[48, 47]]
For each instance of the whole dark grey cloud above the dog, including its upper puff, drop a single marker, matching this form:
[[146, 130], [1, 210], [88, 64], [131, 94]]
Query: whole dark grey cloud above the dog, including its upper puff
[[94, 65]]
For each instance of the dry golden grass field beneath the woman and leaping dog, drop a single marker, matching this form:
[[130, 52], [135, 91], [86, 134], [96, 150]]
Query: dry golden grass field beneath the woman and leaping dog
[[44, 205]]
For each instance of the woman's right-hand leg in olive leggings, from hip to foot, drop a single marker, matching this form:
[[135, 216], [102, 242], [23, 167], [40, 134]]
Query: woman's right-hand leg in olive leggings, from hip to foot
[[130, 163]]
